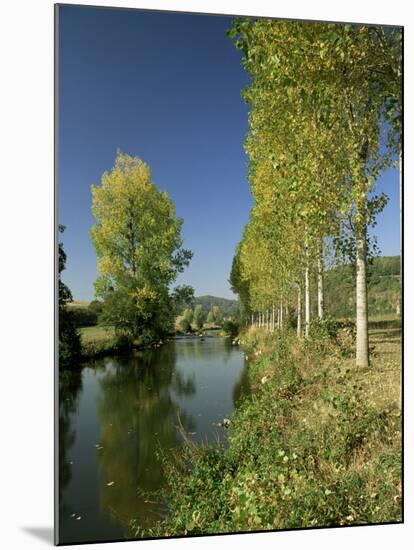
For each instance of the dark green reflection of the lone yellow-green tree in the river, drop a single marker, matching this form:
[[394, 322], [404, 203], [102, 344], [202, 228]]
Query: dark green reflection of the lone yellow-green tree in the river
[[138, 415]]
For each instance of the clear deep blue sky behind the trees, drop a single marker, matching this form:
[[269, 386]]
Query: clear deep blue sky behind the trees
[[165, 87]]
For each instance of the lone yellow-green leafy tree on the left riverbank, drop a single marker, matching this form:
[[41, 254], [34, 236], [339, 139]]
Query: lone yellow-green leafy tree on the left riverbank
[[137, 238]]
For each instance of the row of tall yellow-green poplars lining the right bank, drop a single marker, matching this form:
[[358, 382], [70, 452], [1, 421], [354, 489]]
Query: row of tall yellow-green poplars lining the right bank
[[324, 123]]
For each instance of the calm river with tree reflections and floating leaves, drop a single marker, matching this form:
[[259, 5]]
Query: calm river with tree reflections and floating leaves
[[114, 415]]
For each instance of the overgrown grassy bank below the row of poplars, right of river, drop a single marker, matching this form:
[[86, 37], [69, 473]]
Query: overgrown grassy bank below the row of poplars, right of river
[[317, 444]]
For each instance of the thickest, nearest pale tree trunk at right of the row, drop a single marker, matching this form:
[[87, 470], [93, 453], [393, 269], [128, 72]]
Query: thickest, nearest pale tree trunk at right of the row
[[362, 342]]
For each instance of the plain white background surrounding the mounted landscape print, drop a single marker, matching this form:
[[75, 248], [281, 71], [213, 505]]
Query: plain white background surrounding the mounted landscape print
[[27, 278]]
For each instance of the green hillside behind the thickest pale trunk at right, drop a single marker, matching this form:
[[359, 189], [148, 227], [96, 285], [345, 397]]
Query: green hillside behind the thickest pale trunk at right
[[384, 288]]
